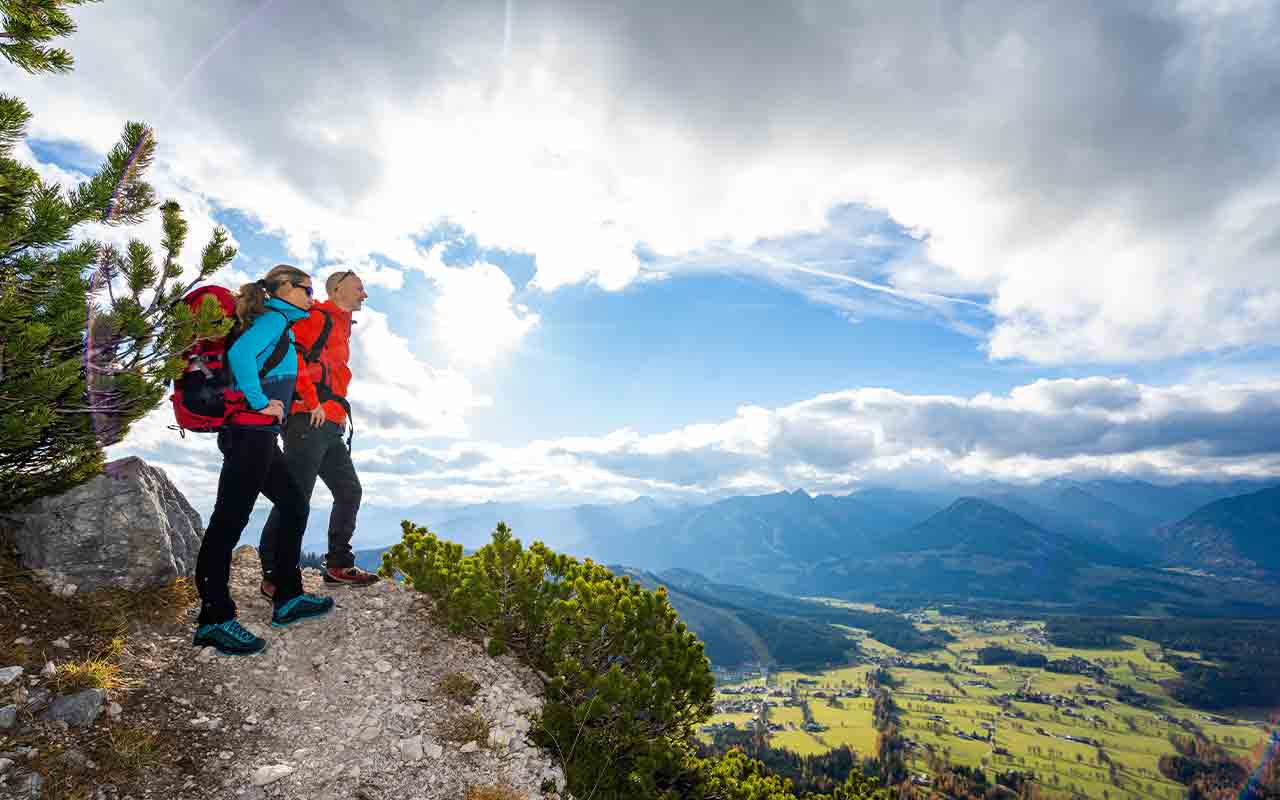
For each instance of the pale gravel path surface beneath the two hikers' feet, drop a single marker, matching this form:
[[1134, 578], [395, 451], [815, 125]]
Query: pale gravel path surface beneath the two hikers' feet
[[350, 705]]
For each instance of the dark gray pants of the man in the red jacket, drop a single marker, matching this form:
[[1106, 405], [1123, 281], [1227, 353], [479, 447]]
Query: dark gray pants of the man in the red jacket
[[319, 452]]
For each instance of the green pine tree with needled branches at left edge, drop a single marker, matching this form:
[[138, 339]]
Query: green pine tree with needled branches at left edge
[[88, 335]]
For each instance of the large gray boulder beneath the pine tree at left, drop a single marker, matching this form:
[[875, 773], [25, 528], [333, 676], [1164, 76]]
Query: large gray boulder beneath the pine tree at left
[[129, 528]]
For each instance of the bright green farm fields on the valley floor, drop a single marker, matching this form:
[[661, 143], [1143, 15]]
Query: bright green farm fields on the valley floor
[[956, 712]]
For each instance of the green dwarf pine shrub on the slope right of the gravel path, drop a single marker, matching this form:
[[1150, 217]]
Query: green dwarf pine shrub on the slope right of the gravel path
[[627, 684]]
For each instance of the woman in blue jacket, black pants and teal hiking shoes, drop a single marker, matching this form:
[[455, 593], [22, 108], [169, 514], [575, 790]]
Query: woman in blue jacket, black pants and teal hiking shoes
[[253, 465]]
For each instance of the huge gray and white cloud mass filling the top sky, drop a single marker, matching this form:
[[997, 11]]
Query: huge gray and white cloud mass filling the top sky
[[1107, 173]]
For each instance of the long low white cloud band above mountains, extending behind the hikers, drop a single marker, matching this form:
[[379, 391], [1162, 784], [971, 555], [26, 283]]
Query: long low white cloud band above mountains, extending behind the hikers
[[1082, 428]]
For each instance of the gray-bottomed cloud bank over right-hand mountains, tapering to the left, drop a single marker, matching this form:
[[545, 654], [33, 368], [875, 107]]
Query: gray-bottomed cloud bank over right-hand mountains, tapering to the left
[[1050, 428]]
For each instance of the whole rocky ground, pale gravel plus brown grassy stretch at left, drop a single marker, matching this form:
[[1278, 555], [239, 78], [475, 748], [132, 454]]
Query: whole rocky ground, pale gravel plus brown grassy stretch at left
[[344, 707]]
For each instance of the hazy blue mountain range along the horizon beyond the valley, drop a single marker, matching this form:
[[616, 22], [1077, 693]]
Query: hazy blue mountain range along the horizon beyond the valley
[[1107, 547]]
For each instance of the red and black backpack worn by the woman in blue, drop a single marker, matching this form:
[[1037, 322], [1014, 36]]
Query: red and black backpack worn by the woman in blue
[[204, 400]]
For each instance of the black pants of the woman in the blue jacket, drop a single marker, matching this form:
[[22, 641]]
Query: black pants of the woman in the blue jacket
[[253, 465]]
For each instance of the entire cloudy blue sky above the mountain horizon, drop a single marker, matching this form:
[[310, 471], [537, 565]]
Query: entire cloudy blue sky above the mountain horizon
[[700, 250]]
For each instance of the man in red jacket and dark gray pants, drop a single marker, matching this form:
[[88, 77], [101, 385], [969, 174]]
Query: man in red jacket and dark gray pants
[[314, 444]]
